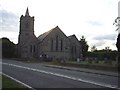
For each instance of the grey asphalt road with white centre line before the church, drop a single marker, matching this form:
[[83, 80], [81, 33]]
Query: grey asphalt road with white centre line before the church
[[39, 76]]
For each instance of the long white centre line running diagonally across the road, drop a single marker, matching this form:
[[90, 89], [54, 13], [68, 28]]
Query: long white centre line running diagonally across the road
[[65, 76]]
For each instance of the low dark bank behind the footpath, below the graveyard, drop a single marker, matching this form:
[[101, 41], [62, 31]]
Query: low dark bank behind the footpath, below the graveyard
[[85, 64]]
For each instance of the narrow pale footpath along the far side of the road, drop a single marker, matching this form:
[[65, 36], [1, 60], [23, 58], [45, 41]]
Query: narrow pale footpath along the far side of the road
[[115, 74]]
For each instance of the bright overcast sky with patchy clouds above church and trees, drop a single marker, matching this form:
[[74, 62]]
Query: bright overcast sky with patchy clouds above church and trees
[[90, 18]]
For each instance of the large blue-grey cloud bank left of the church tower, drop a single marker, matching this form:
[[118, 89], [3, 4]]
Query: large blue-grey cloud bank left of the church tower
[[9, 21]]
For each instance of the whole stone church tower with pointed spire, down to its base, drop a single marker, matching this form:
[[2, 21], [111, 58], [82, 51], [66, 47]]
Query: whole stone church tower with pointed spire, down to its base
[[27, 39]]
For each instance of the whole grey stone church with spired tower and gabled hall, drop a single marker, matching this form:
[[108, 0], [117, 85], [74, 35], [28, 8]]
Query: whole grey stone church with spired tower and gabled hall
[[53, 44]]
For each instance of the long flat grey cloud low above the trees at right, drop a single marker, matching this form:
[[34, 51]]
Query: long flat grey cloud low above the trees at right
[[106, 37]]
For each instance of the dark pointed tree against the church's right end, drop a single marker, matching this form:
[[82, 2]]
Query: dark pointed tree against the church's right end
[[84, 46]]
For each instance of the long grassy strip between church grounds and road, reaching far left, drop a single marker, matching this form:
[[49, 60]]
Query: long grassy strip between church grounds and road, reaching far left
[[109, 65]]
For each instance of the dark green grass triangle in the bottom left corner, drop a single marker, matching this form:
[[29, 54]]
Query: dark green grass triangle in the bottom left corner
[[9, 83]]
